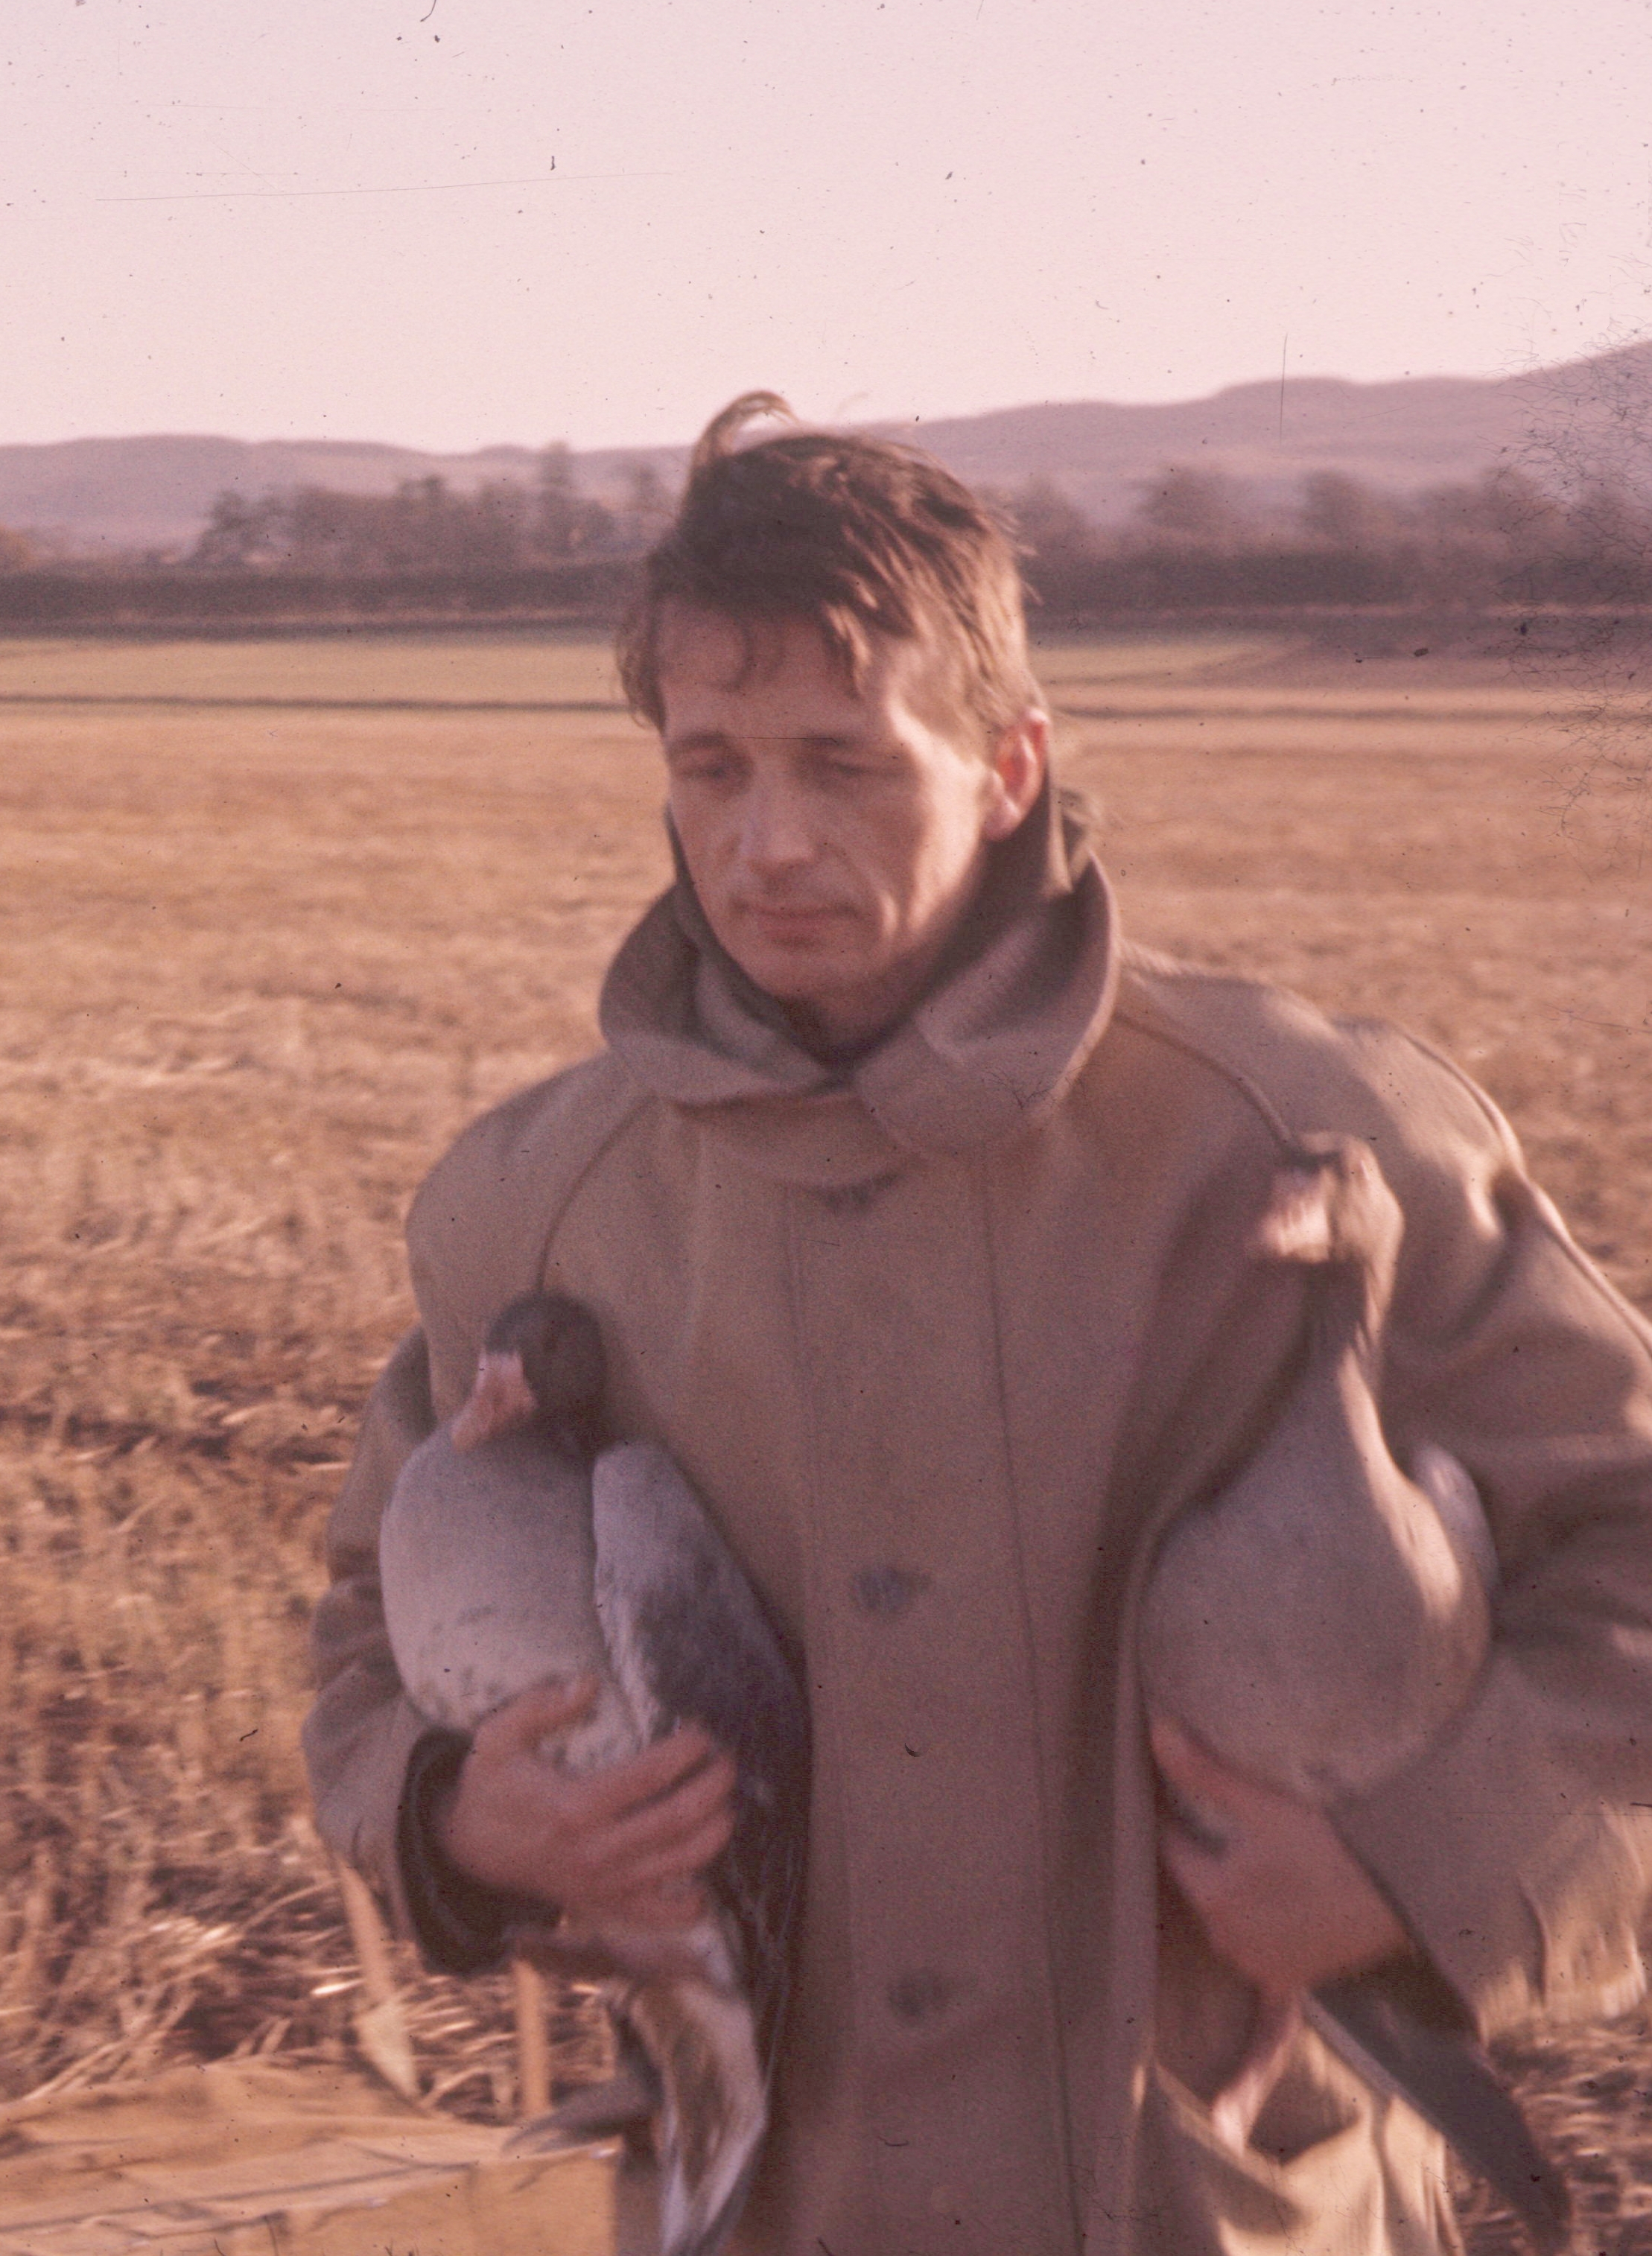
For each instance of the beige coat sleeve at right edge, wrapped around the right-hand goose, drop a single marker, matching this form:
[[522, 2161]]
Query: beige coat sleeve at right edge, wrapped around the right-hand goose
[[1520, 1844]]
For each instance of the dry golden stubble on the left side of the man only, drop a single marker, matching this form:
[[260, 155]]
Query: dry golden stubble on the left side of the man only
[[256, 969]]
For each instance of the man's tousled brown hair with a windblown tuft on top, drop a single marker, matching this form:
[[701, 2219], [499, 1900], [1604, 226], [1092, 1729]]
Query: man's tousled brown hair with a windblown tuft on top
[[856, 538]]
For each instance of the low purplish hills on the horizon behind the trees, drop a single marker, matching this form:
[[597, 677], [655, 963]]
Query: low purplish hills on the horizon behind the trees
[[155, 493]]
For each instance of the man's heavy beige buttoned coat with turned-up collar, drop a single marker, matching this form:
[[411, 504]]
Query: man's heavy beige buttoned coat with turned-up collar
[[947, 1343]]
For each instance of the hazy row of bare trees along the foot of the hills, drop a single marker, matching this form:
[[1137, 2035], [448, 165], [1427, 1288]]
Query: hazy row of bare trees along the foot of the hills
[[1195, 540]]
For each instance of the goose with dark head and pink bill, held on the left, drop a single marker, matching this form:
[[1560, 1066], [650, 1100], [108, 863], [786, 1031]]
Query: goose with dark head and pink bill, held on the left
[[513, 1551]]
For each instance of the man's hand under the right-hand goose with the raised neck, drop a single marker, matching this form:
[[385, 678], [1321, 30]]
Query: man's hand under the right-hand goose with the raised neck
[[1283, 1901]]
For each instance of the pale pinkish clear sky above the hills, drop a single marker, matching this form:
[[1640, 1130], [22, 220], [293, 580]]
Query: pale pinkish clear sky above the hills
[[457, 222]]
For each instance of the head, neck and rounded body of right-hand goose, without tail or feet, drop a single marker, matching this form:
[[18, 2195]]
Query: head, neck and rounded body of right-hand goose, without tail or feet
[[1328, 1612]]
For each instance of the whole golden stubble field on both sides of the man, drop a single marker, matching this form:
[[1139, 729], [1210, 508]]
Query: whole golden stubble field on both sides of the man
[[279, 917]]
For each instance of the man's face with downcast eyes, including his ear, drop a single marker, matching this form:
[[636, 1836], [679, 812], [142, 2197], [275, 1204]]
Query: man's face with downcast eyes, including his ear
[[834, 836]]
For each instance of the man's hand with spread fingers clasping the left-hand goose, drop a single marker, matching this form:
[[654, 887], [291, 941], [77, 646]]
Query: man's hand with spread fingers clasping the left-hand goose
[[624, 1844]]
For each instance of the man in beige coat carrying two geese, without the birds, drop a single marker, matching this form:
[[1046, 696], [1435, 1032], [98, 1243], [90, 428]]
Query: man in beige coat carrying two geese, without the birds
[[915, 1210]]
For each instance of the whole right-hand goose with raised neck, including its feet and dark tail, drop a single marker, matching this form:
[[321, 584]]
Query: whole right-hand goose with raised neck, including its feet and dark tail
[[1319, 1621]]
